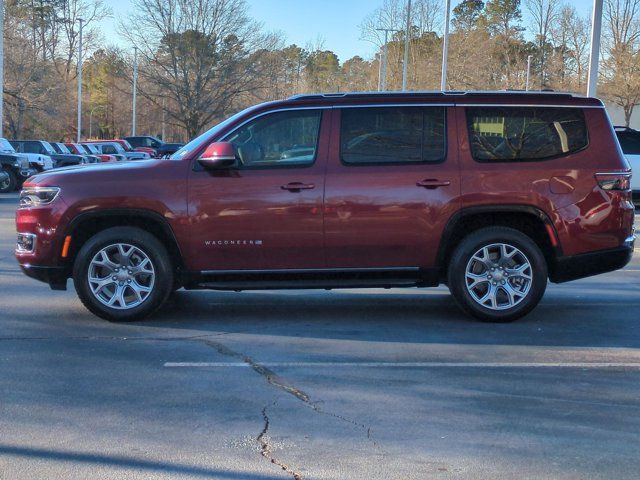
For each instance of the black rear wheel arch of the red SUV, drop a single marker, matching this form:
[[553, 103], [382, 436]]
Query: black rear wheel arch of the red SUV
[[528, 219]]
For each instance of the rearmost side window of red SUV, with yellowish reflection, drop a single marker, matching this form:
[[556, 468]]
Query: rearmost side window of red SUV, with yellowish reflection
[[525, 133]]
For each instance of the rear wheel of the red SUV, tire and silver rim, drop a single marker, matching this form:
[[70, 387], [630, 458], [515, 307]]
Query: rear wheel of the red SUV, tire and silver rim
[[497, 274]]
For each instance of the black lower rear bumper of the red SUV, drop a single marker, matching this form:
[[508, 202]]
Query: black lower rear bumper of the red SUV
[[592, 263]]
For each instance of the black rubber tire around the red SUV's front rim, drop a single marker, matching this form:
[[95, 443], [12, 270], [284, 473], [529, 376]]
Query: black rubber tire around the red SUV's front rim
[[146, 243]]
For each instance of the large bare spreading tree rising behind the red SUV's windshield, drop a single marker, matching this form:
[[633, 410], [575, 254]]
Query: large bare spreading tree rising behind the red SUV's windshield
[[201, 54]]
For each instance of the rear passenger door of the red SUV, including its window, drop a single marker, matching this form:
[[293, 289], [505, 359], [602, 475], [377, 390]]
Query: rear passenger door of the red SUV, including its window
[[389, 215]]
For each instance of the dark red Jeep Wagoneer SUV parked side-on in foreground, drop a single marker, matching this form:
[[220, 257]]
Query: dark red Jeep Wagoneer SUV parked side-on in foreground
[[491, 194]]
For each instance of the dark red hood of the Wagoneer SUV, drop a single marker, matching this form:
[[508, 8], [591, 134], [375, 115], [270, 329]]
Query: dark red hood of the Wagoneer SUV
[[95, 172]]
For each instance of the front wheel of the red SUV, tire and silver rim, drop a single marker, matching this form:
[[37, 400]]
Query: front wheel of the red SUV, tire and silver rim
[[123, 274]]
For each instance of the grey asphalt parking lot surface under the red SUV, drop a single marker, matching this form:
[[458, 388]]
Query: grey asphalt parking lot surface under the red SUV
[[363, 384]]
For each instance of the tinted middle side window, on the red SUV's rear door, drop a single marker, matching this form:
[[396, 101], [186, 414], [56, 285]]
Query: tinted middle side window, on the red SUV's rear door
[[392, 135]]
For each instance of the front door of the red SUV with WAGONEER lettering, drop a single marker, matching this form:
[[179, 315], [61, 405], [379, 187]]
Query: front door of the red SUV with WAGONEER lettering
[[262, 215]]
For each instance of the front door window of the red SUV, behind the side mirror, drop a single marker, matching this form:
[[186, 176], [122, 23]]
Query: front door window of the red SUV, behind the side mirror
[[278, 139]]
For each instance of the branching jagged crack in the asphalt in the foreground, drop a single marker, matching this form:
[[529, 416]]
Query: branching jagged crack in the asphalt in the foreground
[[275, 380]]
